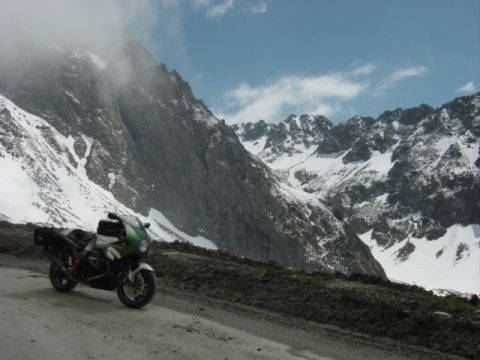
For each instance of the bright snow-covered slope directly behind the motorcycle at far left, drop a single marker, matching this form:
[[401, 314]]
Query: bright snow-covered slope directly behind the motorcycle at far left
[[43, 179]]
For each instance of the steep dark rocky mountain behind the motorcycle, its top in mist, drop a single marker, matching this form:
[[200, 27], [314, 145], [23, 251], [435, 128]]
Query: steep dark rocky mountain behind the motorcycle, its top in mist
[[87, 130]]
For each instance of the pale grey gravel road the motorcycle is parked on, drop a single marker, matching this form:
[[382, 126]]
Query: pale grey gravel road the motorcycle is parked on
[[37, 322]]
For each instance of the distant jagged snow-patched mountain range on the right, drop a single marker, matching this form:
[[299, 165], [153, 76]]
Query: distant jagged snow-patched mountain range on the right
[[408, 183]]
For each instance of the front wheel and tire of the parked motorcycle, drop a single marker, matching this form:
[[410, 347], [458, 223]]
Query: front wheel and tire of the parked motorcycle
[[137, 295]]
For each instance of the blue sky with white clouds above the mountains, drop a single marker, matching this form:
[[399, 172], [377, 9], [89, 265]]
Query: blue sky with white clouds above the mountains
[[252, 59]]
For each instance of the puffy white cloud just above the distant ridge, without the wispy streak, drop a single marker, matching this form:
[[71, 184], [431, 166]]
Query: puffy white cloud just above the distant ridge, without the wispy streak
[[290, 94]]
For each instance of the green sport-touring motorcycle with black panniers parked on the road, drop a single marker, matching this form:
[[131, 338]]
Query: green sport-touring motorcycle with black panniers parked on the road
[[107, 259]]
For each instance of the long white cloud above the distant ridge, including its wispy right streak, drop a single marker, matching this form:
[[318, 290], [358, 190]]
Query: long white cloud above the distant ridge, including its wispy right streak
[[322, 94]]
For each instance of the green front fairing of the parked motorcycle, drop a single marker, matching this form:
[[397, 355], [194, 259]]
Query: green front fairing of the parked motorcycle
[[134, 235]]
